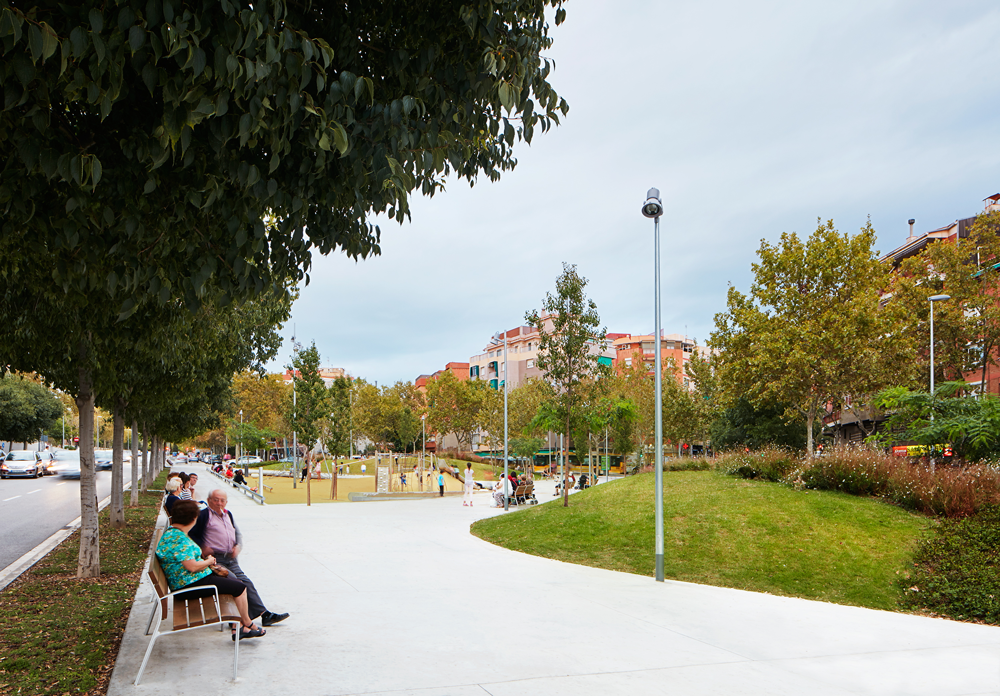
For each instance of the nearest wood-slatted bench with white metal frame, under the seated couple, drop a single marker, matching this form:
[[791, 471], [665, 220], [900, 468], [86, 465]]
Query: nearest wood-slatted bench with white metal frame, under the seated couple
[[188, 612]]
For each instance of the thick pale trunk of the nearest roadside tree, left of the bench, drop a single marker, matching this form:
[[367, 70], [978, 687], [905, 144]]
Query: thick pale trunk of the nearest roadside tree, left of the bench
[[89, 560]]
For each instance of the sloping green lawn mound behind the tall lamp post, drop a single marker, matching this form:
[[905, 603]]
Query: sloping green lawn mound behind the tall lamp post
[[729, 532]]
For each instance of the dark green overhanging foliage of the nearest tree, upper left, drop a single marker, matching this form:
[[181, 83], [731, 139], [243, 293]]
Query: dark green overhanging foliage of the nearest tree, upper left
[[156, 148]]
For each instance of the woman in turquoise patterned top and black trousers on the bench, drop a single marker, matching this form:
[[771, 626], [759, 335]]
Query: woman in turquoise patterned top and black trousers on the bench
[[182, 564]]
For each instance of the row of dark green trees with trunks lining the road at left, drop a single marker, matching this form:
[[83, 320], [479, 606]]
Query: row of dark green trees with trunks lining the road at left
[[169, 169]]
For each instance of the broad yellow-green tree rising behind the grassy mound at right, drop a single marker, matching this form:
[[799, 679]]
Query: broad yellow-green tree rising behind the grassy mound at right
[[810, 332]]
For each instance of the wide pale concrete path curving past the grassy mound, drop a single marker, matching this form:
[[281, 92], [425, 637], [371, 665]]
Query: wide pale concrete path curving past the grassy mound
[[399, 598]]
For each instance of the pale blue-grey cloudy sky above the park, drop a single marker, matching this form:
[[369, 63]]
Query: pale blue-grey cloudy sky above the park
[[752, 119]]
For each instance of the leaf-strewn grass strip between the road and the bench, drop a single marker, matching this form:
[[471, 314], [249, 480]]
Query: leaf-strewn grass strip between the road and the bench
[[60, 635]]
